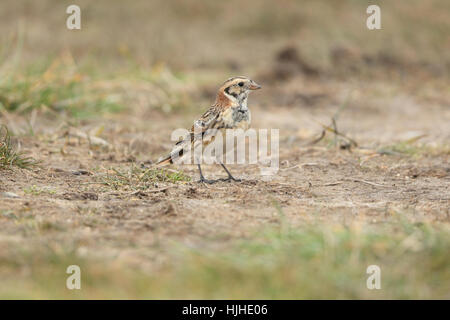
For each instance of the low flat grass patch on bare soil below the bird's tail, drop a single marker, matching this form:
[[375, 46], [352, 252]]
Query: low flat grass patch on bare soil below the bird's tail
[[136, 178]]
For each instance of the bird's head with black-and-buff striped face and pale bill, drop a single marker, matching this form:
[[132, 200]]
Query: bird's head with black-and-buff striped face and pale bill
[[236, 90]]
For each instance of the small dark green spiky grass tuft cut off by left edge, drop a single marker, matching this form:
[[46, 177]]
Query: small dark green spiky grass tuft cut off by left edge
[[9, 156]]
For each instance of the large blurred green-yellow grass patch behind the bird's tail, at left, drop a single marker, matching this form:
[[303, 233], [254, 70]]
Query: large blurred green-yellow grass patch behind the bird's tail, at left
[[64, 88]]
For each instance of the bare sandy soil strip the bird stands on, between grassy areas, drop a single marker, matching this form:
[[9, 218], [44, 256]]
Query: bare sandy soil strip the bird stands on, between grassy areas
[[66, 199]]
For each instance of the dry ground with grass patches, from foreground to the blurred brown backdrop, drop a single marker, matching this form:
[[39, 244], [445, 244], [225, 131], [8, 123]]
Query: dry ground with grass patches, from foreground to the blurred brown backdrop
[[138, 233]]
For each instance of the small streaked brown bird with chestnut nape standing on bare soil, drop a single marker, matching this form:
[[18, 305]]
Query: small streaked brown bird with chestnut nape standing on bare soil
[[229, 111]]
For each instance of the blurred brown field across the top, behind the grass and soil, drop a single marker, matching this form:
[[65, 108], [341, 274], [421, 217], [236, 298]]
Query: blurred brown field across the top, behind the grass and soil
[[240, 37]]
